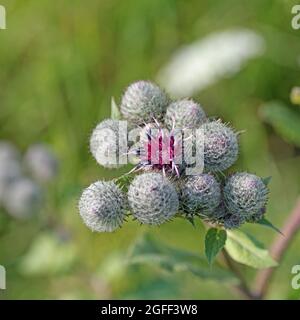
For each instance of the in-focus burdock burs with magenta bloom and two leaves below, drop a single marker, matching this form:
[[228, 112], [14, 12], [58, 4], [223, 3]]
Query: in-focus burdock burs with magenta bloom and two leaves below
[[161, 187]]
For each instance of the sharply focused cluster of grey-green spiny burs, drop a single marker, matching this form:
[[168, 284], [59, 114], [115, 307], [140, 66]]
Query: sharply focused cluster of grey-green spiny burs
[[158, 193]]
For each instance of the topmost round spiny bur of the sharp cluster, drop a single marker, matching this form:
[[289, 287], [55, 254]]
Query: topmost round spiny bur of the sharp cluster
[[143, 101]]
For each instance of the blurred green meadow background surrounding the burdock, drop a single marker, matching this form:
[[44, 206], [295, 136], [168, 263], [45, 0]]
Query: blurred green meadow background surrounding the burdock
[[60, 64]]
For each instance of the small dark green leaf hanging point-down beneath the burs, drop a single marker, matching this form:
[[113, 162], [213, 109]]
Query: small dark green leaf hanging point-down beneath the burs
[[215, 240]]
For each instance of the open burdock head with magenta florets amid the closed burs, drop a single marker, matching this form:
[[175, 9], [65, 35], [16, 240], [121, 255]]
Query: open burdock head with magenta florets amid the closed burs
[[160, 149]]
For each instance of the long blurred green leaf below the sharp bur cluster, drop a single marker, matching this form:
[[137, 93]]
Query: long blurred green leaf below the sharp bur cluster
[[149, 251]]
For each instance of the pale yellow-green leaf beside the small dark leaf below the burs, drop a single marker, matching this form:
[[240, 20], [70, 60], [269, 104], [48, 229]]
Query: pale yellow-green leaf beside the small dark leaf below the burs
[[246, 250]]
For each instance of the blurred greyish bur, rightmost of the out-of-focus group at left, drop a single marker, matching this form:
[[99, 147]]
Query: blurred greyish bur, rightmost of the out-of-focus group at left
[[41, 163]]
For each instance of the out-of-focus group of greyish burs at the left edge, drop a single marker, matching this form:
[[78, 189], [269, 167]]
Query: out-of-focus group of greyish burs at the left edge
[[23, 178]]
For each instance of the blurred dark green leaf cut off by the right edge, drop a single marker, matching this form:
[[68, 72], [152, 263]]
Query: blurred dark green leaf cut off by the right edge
[[285, 121]]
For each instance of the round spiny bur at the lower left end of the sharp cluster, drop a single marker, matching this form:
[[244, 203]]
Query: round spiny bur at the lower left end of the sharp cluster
[[102, 206]]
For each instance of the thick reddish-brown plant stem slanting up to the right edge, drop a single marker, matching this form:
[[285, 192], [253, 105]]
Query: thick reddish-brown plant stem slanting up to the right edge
[[278, 250]]
